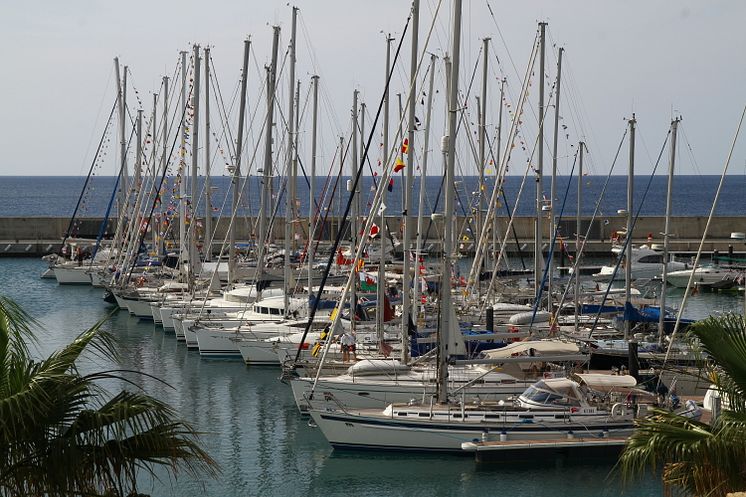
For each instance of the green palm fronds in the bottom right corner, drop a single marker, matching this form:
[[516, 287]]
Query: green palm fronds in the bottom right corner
[[697, 458]]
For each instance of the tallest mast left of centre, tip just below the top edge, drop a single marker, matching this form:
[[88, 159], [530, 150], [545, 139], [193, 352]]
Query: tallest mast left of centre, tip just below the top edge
[[290, 191]]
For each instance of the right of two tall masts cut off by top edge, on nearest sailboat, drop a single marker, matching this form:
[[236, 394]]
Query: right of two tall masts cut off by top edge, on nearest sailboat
[[450, 147]]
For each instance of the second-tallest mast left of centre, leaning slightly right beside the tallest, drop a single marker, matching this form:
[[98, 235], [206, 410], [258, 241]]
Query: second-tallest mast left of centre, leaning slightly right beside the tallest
[[265, 208]]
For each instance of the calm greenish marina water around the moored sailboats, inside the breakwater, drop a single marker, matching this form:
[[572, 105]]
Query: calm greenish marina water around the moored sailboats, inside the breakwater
[[253, 430]]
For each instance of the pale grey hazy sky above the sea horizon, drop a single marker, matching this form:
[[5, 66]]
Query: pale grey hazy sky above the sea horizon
[[655, 58]]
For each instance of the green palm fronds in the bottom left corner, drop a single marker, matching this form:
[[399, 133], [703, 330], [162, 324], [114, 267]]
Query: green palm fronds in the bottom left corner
[[62, 434]]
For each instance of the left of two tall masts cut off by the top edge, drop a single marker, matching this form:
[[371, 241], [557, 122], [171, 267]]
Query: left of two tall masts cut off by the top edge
[[409, 189]]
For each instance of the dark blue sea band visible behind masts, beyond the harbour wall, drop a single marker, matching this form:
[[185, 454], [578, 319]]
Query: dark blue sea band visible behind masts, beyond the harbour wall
[[56, 196]]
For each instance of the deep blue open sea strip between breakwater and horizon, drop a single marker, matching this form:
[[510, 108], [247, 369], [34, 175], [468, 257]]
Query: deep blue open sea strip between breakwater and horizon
[[693, 195]]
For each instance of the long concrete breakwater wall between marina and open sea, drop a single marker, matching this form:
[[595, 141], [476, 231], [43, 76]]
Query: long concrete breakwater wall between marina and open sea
[[36, 236]]
